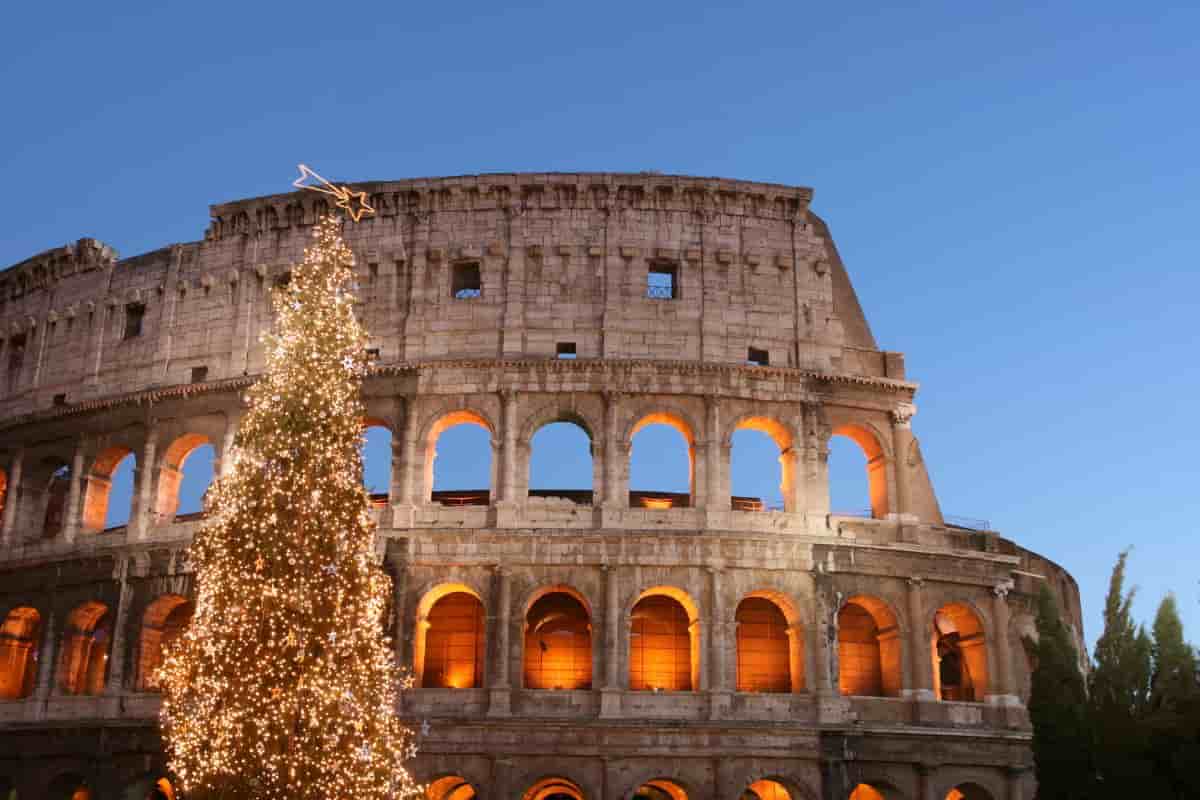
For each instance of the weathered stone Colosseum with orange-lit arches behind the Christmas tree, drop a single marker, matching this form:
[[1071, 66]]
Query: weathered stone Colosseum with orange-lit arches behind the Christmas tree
[[602, 643]]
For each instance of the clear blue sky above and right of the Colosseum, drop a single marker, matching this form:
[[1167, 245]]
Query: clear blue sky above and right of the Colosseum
[[1013, 189]]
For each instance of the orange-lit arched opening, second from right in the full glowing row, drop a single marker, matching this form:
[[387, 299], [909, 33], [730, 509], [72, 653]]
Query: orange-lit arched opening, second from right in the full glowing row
[[868, 649]]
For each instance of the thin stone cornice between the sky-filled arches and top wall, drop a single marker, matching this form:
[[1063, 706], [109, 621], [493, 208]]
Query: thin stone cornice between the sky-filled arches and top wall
[[152, 396]]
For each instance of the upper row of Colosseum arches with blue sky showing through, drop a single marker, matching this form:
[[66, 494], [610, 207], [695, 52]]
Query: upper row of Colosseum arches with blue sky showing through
[[459, 459]]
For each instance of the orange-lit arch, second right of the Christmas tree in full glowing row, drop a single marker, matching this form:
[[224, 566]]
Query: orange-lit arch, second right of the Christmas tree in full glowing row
[[559, 642]]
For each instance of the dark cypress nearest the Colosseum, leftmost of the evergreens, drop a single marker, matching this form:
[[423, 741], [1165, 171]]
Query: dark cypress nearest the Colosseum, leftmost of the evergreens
[[1059, 711]]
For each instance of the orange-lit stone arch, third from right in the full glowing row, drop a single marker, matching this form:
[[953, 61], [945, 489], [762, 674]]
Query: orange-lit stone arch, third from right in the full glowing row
[[759, 645]]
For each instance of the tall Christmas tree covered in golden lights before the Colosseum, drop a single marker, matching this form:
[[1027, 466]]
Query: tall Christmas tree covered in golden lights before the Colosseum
[[284, 685]]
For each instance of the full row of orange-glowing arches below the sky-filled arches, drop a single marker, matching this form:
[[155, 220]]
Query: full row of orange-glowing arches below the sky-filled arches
[[663, 630]]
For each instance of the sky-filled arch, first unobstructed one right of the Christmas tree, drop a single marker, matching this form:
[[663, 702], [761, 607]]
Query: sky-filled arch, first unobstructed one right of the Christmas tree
[[459, 468]]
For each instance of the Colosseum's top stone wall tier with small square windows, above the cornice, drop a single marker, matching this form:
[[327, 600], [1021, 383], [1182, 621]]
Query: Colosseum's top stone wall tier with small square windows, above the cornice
[[563, 258]]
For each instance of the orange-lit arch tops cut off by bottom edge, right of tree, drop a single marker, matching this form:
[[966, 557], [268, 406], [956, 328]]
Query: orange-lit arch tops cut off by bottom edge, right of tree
[[455, 787]]
